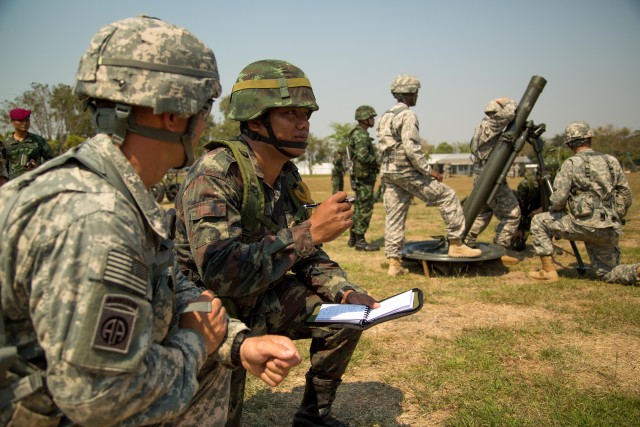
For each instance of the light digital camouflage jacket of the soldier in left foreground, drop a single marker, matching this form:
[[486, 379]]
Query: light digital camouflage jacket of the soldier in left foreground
[[79, 282]]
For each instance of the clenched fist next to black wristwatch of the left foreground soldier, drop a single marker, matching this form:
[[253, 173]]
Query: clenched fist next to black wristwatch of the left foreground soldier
[[269, 357]]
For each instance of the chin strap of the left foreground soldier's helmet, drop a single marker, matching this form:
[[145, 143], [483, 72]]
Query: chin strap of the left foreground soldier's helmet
[[119, 120]]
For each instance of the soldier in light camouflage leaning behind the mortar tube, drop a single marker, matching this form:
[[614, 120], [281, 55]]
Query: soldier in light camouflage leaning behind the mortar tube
[[498, 114]]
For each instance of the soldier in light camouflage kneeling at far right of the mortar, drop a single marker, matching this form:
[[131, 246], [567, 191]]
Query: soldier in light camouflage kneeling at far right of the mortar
[[596, 191]]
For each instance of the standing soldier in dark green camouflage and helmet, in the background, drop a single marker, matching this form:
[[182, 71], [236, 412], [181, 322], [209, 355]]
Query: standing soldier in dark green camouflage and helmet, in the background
[[365, 171]]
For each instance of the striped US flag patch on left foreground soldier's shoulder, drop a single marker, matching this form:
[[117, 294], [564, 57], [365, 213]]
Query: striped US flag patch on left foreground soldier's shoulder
[[125, 271]]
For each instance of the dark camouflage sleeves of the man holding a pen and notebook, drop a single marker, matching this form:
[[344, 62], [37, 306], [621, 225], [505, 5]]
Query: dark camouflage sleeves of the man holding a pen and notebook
[[210, 205]]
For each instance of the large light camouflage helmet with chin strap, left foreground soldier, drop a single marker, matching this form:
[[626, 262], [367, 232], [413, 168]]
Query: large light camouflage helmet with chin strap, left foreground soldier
[[147, 62]]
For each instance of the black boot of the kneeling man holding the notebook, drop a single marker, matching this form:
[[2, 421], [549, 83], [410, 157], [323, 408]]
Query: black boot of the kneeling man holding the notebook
[[315, 409]]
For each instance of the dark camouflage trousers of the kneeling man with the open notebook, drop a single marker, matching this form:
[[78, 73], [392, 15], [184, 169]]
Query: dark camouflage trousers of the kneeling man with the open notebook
[[330, 350]]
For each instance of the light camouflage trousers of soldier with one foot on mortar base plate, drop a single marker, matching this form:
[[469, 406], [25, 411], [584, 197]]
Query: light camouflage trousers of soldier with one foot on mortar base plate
[[397, 199]]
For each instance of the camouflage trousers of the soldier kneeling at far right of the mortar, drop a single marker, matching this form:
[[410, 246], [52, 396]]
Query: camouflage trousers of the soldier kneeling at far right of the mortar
[[601, 244]]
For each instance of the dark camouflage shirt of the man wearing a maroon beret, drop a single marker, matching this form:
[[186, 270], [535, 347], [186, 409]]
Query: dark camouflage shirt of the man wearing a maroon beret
[[19, 153]]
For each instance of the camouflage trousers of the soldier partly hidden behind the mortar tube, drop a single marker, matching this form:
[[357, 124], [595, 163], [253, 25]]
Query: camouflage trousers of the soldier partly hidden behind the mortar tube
[[505, 208]]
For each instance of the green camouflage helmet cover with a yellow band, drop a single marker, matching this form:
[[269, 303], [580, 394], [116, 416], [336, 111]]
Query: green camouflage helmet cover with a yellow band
[[267, 84]]
